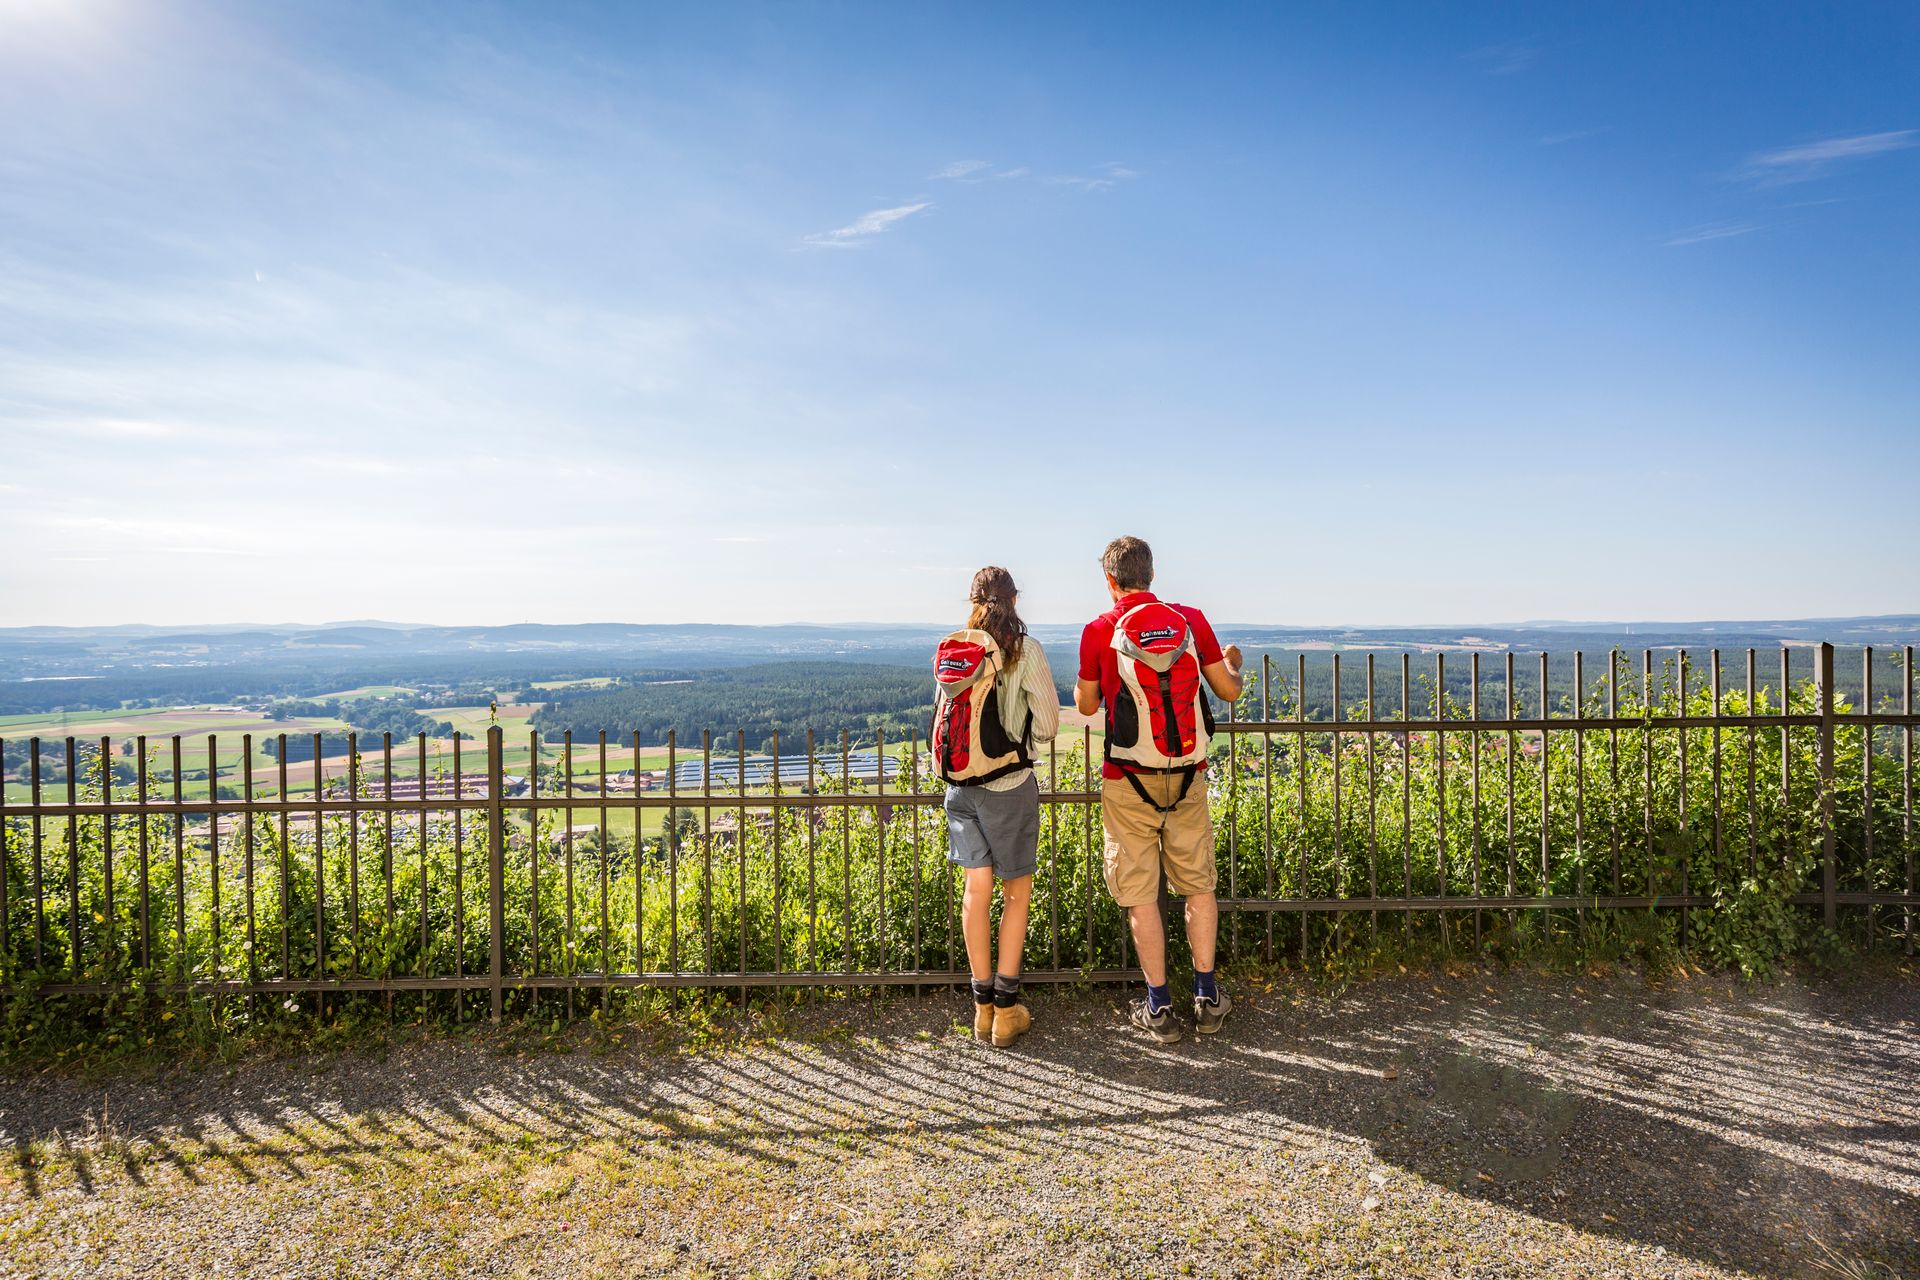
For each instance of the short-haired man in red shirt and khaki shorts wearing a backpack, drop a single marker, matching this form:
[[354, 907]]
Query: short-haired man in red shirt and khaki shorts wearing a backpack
[[1145, 661]]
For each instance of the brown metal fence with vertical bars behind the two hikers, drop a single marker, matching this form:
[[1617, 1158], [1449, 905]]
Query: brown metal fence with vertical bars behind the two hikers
[[1429, 797]]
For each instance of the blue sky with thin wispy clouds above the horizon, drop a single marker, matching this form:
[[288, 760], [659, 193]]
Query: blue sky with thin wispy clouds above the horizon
[[763, 314]]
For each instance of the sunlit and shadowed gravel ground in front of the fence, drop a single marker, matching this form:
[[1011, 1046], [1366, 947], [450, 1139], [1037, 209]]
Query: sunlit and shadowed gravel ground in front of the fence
[[1460, 1126]]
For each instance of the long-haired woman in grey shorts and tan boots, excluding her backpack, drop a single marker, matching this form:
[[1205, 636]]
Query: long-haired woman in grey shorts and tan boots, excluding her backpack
[[994, 822]]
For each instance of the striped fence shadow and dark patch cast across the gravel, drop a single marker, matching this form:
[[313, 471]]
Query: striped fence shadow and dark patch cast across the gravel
[[1725, 1129]]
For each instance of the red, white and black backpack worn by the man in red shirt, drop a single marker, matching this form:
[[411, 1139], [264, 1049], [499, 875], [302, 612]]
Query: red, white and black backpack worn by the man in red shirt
[[1161, 723]]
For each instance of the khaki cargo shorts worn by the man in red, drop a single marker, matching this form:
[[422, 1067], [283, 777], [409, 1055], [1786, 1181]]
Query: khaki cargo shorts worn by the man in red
[[1141, 841]]
